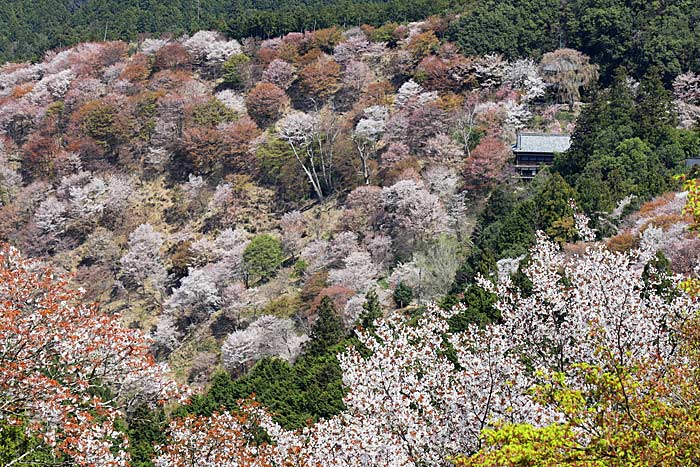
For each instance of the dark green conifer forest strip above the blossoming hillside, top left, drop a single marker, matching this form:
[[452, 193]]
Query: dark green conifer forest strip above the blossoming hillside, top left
[[28, 28]]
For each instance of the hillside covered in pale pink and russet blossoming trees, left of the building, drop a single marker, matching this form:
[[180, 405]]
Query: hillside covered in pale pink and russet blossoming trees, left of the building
[[203, 140]]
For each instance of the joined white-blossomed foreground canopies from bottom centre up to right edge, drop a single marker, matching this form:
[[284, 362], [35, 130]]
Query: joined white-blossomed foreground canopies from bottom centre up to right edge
[[418, 395]]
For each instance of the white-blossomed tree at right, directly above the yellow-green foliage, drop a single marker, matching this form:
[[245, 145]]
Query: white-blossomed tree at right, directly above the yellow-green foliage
[[604, 304]]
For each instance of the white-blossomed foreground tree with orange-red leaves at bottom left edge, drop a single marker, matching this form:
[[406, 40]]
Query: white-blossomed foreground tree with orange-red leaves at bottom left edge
[[68, 371]]
